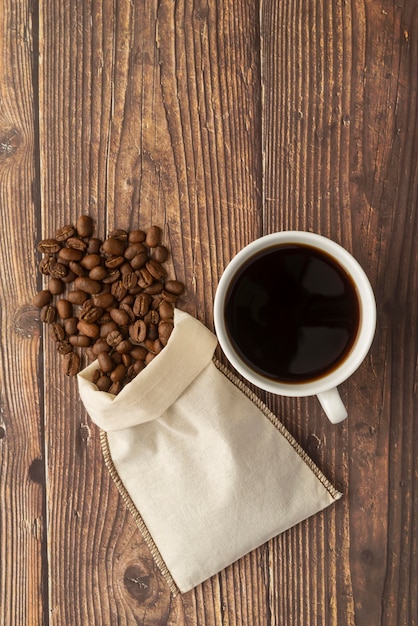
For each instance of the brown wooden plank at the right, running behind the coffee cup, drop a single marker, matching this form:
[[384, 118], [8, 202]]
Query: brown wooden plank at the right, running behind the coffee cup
[[340, 159]]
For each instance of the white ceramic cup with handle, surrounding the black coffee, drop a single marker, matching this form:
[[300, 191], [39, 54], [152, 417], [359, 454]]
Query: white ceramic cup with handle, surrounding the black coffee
[[325, 386]]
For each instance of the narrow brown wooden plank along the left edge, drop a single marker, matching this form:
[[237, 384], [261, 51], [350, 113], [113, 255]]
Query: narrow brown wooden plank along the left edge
[[23, 575]]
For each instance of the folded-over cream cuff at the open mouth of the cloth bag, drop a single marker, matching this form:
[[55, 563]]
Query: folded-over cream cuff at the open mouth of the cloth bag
[[188, 351]]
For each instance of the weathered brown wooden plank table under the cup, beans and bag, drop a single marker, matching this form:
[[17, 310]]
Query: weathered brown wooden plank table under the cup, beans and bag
[[220, 121]]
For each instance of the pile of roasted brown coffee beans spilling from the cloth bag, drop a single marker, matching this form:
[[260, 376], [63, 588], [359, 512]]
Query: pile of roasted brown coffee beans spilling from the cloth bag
[[109, 298]]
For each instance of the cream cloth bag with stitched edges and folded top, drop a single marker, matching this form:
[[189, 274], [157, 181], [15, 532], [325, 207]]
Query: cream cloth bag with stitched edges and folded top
[[208, 472]]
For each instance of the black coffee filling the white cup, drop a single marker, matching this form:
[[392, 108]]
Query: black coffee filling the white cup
[[292, 313]]
